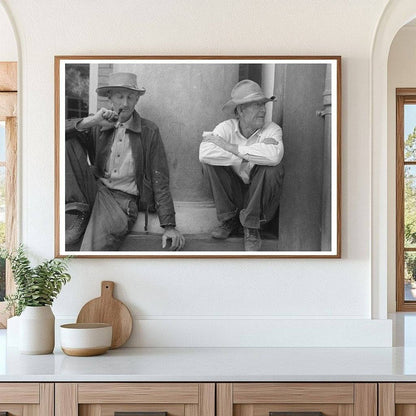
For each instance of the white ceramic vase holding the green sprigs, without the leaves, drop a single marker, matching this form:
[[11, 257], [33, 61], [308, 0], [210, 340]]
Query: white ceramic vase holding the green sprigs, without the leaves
[[37, 330]]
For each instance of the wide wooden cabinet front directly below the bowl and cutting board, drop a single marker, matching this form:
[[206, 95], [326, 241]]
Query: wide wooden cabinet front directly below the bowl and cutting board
[[143, 399]]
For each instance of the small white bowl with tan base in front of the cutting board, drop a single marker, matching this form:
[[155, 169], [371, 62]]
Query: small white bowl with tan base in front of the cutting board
[[84, 340]]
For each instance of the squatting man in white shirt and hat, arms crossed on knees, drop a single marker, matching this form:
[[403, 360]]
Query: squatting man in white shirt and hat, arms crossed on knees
[[242, 161]]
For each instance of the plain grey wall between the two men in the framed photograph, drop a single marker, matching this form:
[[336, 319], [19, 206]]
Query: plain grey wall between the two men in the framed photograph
[[184, 100]]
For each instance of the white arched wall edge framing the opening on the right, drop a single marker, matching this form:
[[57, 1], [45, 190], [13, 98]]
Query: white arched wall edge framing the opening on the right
[[396, 15]]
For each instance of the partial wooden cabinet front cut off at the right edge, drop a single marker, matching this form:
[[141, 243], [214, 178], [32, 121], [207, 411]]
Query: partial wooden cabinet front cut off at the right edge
[[397, 399]]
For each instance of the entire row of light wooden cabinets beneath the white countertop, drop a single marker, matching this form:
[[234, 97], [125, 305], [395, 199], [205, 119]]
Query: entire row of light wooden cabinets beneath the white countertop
[[207, 399]]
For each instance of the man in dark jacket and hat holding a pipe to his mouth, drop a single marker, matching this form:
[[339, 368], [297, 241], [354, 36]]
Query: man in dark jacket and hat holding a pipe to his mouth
[[128, 171]]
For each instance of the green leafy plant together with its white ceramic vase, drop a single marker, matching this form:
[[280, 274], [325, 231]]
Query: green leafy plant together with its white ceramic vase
[[36, 289]]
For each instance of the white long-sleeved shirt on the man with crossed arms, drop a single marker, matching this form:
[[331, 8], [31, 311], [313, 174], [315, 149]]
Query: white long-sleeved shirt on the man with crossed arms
[[263, 147]]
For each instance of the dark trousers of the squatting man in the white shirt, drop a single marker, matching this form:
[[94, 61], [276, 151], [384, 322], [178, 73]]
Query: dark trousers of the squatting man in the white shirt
[[256, 203]]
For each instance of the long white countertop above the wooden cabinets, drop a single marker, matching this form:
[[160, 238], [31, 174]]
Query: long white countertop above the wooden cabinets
[[213, 364]]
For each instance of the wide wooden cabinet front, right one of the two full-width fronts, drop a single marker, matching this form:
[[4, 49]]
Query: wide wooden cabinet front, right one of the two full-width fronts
[[297, 399]]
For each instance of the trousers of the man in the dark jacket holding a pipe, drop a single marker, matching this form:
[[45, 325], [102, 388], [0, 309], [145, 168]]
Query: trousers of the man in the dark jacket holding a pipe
[[112, 212]]
